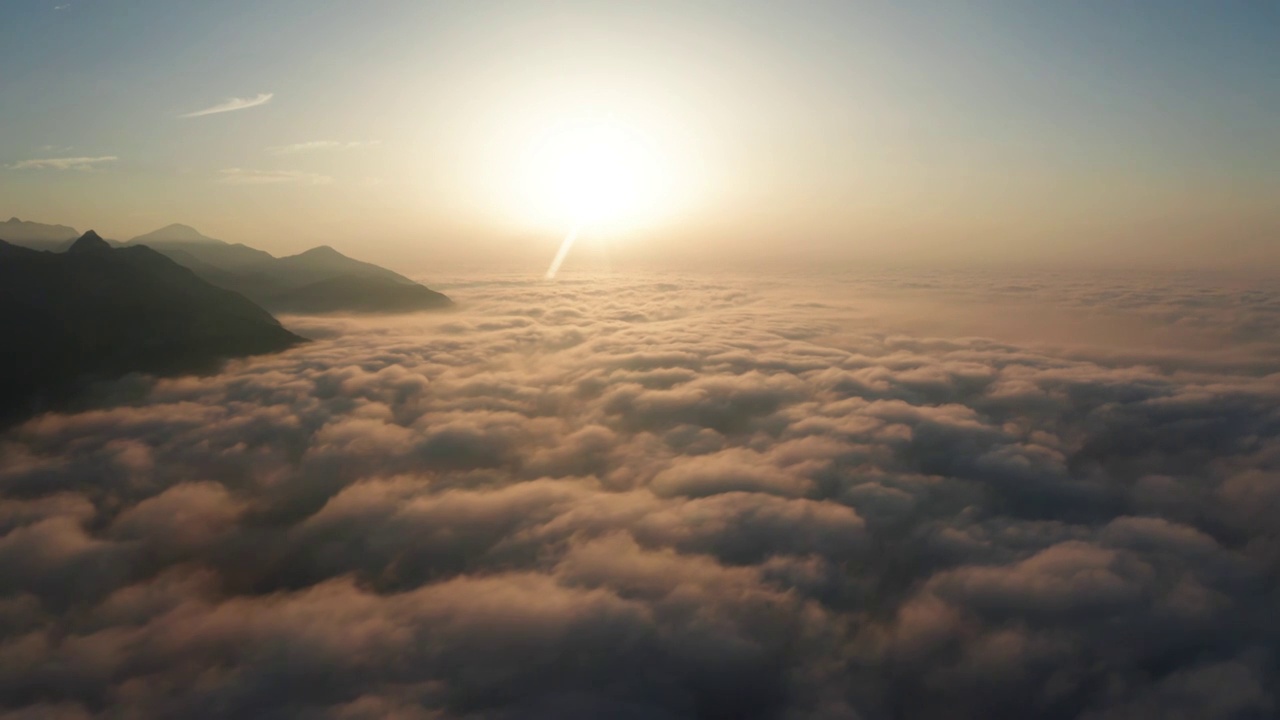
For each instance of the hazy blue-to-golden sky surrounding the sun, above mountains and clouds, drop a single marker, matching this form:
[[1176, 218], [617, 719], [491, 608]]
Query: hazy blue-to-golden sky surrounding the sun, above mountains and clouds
[[1091, 133]]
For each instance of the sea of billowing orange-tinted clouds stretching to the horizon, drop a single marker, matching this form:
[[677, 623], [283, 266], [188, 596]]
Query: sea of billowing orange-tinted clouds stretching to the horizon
[[674, 498]]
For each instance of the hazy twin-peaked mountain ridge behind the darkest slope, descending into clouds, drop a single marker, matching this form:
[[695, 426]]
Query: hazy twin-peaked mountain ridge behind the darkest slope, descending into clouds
[[321, 280]]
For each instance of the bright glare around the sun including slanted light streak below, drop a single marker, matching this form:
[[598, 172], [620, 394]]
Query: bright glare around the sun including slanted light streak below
[[555, 166]]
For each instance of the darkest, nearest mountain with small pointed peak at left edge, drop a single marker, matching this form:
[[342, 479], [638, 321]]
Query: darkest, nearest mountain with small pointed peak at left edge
[[95, 312]]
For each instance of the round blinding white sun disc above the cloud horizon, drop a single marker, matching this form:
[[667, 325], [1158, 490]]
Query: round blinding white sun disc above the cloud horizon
[[596, 176]]
